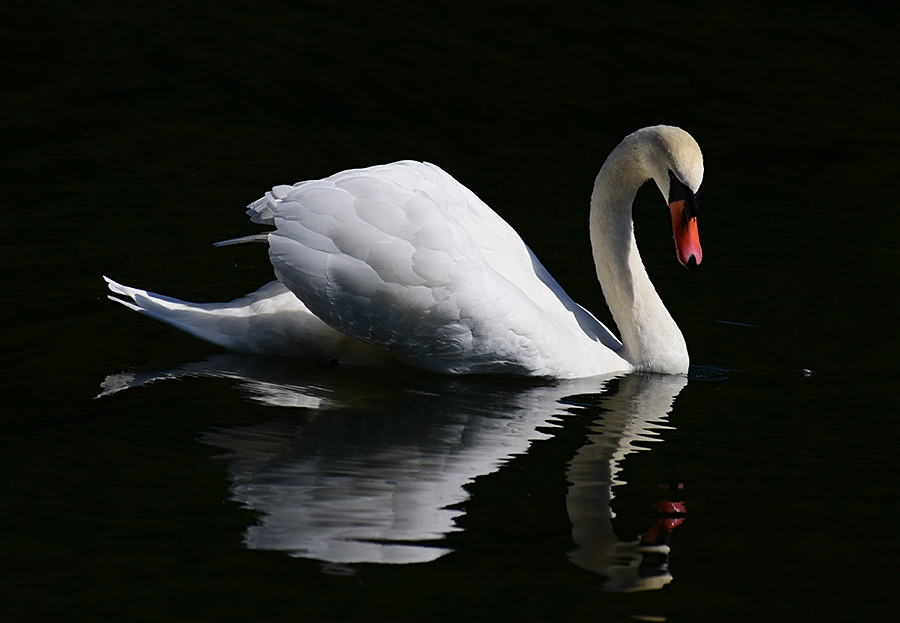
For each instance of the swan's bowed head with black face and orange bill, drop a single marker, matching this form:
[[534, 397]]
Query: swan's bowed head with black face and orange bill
[[676, 165]]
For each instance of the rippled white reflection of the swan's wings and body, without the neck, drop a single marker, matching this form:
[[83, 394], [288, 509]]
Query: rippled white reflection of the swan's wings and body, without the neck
[[382, 485]]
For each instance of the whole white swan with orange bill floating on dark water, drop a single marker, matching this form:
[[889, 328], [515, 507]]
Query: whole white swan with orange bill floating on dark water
[[402, 263]]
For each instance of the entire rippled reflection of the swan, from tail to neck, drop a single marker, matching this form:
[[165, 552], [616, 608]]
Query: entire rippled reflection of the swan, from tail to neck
[[369, 471]]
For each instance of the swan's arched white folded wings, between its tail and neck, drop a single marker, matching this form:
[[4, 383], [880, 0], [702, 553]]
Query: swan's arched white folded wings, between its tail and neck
[[404, 257]]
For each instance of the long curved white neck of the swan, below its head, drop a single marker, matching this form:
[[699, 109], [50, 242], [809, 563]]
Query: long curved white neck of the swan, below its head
[[651, 341]]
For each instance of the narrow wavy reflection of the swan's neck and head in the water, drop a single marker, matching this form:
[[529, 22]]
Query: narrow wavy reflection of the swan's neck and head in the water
[[636, 412]]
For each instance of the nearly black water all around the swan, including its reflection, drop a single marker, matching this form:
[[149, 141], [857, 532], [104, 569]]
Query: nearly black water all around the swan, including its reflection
[[249, 489]]
